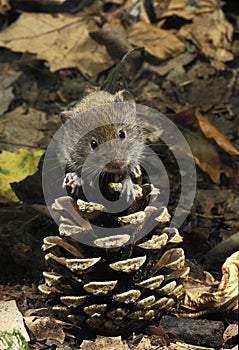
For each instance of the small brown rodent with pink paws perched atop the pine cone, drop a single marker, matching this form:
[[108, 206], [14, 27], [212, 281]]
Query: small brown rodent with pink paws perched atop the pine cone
[[98, 118]]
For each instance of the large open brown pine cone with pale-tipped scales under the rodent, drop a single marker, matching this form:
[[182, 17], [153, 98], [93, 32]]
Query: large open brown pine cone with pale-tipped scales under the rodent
[[116, 283]]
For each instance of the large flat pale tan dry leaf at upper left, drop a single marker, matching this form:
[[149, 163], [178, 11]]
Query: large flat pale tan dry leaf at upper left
[[63, 41]]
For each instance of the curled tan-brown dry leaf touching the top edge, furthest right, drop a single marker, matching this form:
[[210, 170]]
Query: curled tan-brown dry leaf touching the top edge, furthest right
[[209, 30]]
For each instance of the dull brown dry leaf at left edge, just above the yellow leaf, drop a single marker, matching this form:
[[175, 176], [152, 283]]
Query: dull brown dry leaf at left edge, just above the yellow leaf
[[29, 129]]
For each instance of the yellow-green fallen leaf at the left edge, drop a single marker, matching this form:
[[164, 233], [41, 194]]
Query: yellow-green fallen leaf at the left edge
[[16, 167]]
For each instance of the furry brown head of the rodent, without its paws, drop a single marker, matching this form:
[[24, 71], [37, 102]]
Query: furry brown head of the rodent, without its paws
[[113, 142]]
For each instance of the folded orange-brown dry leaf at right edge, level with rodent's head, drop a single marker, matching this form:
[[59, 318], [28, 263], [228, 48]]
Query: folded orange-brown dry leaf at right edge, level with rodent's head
[[208, 144]]
